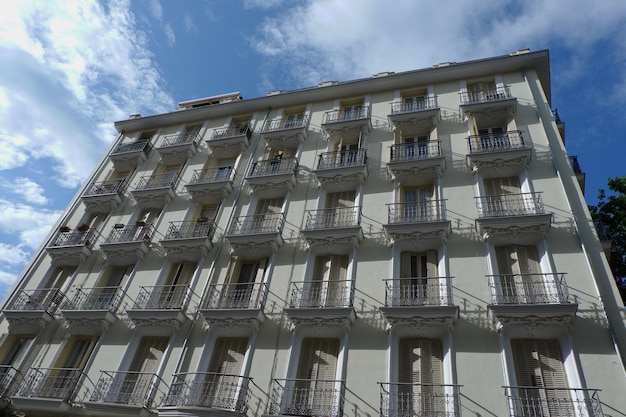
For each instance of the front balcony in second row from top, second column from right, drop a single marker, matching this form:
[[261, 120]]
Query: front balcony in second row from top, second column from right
[[408, 161]]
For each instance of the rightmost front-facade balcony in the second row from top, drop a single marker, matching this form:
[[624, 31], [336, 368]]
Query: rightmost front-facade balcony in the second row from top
[[507, 153]]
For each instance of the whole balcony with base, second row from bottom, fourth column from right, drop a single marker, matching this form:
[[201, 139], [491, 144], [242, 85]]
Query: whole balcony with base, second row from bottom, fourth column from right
[[241, 302]]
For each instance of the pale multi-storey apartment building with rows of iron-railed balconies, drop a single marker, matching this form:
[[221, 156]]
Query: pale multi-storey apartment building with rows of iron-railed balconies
[[410, 244]]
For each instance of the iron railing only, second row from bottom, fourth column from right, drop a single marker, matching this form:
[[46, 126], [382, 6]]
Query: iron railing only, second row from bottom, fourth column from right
[[236, 296]]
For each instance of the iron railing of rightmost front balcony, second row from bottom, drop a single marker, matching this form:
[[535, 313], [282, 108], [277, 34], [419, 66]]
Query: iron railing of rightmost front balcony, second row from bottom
[[548, 288]]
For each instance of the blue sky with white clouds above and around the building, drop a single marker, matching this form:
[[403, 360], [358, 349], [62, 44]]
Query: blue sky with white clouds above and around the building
[[70, 68]]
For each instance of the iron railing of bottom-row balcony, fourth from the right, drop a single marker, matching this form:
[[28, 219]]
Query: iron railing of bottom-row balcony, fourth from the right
[[209, 390]]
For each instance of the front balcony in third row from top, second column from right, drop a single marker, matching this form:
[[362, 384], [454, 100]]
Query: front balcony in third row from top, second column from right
[[423, 220]]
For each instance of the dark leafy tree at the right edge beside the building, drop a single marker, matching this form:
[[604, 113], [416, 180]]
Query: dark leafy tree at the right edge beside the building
[[609, 215]]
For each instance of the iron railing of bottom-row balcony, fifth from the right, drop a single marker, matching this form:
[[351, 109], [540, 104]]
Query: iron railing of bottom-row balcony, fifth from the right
[[133, 388]]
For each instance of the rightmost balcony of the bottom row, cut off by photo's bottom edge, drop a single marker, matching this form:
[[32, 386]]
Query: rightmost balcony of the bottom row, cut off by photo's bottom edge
[[553, 401]]
